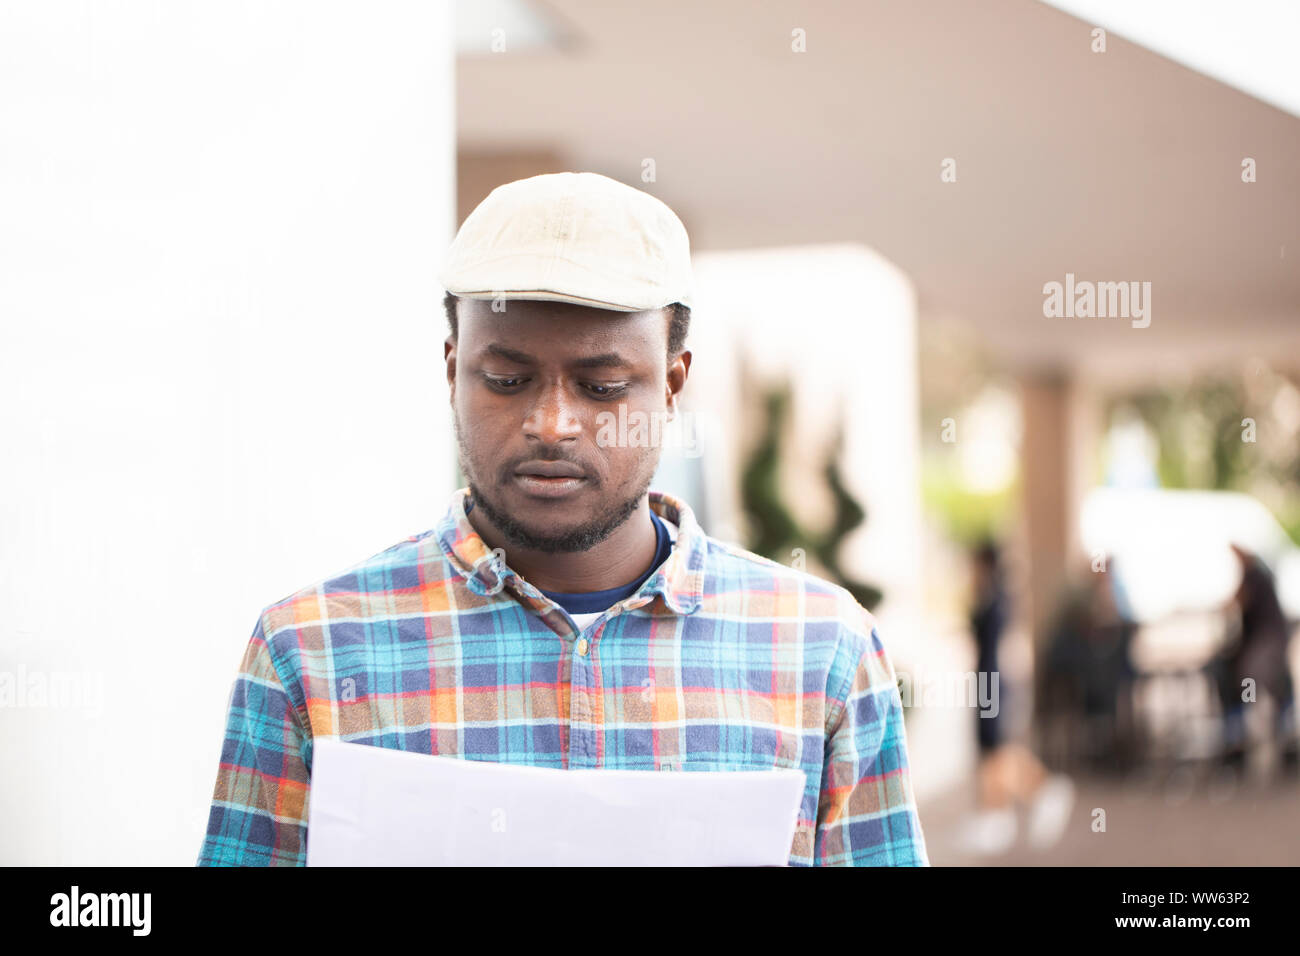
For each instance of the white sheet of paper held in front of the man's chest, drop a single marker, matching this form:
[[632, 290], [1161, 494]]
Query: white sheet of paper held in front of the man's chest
[[376, 807]]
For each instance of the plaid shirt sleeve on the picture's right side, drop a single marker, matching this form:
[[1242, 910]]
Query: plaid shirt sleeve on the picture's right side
[[866, 810]]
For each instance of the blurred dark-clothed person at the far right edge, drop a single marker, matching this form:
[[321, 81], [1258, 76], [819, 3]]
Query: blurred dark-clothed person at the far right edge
[[1256, 652]]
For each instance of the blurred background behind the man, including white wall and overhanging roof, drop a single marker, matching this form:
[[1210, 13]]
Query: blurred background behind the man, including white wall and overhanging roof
[[1078, 527]]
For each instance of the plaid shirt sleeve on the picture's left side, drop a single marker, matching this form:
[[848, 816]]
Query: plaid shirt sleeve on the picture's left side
[[259, 804]]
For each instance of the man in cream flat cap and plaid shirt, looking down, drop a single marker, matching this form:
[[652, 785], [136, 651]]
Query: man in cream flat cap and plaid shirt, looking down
[[562, 615]]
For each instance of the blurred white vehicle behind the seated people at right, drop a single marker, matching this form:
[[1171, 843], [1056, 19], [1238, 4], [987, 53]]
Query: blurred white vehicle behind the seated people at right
[[1172, 557]]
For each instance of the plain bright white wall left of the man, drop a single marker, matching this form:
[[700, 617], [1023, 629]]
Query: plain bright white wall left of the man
[[220, 371]]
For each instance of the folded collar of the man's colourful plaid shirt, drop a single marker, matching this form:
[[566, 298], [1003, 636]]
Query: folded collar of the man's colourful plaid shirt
[[679, 581]]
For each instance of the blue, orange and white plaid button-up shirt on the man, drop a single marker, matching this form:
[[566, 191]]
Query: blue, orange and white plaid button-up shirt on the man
[[721, 661]]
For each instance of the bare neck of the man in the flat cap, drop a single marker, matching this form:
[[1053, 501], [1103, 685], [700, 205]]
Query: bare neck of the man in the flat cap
[[621, 559]]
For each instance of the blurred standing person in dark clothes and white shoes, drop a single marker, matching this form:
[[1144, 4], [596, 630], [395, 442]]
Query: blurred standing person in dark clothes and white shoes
[[1008, 773]]
